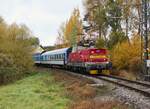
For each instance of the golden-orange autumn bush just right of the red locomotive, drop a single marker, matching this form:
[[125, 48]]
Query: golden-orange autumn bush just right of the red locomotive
[[127, 55]]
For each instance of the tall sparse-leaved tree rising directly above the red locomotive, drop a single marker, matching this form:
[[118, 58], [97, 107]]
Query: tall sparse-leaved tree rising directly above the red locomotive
[[96, 16]]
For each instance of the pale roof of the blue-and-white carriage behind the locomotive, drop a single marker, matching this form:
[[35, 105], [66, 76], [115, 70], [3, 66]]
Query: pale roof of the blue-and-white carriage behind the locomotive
[[57, 51]]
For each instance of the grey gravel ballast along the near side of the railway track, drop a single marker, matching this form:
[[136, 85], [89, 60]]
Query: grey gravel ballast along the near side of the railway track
[[129, 97]]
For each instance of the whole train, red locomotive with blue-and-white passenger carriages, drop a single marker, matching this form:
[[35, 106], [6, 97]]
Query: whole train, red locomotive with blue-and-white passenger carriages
[[90, 60]]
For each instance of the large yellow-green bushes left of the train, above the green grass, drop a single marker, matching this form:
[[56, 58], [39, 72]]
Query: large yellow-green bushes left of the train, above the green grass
[[16, 46]]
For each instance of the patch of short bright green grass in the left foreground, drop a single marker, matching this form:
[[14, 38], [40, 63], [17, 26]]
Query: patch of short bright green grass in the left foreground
[[39, 91]]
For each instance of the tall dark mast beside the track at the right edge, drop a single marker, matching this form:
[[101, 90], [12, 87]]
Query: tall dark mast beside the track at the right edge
[[145, 25]]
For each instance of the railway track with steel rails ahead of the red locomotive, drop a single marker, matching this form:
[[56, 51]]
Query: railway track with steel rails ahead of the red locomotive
[[138, 86]]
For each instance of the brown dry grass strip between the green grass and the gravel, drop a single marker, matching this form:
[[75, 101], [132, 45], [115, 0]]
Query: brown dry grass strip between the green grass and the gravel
[[82, 94]]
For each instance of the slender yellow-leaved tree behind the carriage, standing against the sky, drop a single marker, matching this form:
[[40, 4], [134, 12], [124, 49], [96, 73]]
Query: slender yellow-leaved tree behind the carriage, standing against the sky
[[69, 32]]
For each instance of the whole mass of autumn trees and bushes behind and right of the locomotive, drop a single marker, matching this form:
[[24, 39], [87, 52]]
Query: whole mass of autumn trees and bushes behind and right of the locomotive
[[110, 23]]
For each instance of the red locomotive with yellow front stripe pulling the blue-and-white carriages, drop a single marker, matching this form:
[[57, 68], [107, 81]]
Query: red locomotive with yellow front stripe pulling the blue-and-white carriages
[[91, 60]]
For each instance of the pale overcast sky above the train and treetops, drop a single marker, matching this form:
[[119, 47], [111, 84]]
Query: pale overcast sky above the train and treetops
[[43, 17]]
